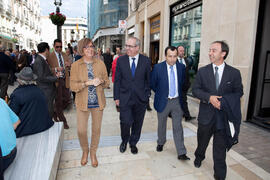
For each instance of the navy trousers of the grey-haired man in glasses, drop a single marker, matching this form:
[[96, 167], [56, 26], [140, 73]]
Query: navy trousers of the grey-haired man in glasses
[[131, 121]]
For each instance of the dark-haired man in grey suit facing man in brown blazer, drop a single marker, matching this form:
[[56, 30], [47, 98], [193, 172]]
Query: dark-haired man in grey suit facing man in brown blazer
[[46, 80]]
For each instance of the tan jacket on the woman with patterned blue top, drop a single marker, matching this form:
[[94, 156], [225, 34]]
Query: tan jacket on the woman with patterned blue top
[[79, 75]]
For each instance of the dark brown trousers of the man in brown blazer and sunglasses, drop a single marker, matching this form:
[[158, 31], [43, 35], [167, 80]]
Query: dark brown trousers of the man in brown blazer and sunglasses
[[62, 100]]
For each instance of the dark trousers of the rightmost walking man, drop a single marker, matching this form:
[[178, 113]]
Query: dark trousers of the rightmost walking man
[[204, 134]]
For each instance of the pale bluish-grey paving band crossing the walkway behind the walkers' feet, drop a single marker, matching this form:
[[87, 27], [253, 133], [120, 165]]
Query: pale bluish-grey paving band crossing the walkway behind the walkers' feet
[[106, 141]]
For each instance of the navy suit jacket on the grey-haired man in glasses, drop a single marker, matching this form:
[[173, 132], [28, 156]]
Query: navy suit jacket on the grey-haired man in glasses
[[126, 86]]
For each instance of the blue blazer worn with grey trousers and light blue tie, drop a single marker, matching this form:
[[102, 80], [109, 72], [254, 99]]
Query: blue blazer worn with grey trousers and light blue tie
[[160, 84]]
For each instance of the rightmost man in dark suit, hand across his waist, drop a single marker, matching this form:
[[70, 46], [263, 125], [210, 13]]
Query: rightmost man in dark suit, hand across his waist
[[212, 82]]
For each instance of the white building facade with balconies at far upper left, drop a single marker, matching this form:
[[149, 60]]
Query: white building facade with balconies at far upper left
[[20, 23]]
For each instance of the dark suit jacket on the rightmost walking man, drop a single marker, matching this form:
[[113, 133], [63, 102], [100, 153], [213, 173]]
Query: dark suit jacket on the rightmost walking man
[[205, 86]]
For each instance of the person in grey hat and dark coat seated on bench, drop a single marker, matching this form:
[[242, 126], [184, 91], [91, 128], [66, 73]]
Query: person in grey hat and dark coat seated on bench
[[30, 104]]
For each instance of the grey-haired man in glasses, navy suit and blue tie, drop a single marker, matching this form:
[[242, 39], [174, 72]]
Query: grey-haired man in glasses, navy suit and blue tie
[[131, 93]]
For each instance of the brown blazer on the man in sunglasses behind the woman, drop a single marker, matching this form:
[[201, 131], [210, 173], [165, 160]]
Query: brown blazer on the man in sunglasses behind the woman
[[53, 62]]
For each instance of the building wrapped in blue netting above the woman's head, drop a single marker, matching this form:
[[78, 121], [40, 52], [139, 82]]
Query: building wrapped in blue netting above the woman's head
[[103, 22]]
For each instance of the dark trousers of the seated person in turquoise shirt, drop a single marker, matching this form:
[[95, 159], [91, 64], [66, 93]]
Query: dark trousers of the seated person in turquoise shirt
[[6, 161]]
